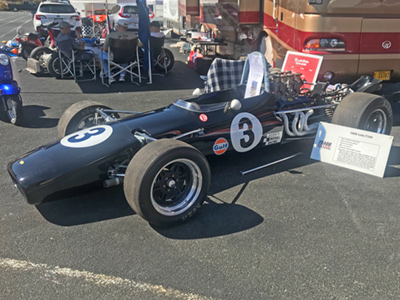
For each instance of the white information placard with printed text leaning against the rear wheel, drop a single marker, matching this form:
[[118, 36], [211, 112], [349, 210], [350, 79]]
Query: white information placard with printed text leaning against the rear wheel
[[351, 148]]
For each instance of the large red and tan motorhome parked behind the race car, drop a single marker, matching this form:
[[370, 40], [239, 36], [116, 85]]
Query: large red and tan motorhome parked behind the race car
[[354, 37]]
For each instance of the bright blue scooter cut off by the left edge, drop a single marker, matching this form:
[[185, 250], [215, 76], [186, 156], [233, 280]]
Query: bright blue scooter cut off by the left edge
[[9, 90]]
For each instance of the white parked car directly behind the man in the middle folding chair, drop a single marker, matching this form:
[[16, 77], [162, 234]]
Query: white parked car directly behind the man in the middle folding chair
[[127, 12]]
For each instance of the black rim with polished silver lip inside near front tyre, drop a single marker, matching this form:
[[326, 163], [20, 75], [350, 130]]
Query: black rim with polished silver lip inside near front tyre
[[176, 187]]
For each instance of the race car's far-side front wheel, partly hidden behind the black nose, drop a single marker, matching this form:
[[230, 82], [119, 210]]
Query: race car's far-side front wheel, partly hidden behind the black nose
[[79, 116]]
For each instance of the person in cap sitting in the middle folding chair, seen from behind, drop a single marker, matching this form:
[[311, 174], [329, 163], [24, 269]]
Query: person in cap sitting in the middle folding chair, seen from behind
[[122, 33]]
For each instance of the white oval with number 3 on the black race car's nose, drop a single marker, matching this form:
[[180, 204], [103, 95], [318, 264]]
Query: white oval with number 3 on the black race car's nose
[[87, 137]]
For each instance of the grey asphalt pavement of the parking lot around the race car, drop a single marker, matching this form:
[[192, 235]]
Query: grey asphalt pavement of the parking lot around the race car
[[300, 229]]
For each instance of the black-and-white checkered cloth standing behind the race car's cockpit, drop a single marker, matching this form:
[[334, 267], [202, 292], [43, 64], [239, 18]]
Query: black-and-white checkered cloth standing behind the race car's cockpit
[[224, 74]]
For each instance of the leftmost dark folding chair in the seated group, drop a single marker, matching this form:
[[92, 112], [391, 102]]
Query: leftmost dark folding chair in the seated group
[[73, 61]]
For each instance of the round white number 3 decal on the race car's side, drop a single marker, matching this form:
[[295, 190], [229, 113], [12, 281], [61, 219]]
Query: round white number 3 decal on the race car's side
[[246, 132]]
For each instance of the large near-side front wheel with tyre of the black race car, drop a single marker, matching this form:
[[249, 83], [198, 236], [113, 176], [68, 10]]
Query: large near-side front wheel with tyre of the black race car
[[166, 182]]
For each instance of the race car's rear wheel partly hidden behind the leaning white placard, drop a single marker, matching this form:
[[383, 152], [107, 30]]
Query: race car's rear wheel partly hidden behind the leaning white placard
[[364, 111]]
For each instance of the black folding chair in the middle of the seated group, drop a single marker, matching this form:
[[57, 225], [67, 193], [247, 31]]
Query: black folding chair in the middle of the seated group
[[122, 51]]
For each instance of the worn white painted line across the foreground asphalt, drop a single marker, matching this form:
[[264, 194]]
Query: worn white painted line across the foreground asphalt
[[97, 279]]
